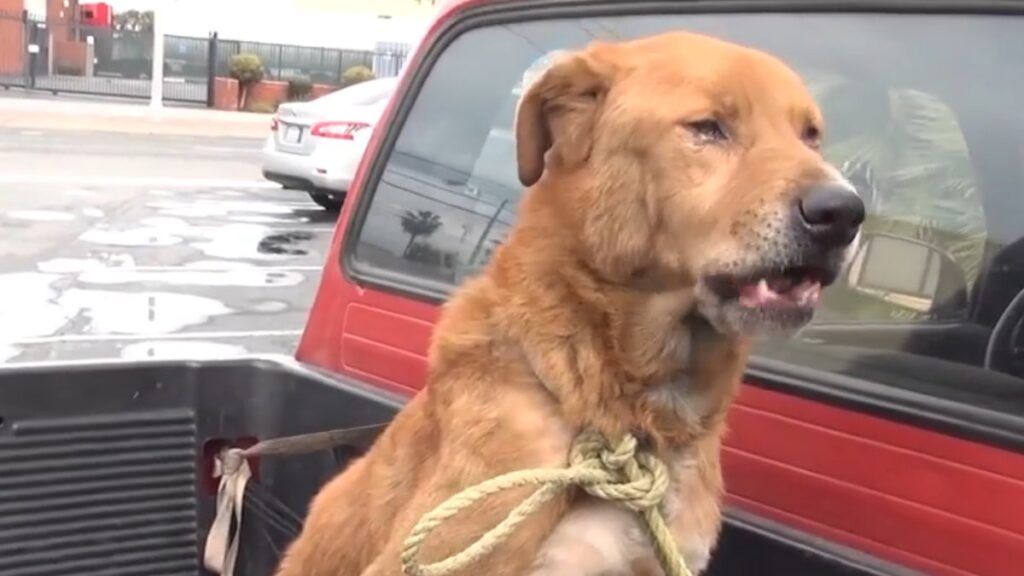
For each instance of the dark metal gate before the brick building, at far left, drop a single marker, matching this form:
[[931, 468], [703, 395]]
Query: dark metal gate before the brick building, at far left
[[67, 57]]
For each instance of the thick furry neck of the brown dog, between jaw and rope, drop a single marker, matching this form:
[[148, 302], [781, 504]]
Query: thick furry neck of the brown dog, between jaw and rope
[[618, 359]]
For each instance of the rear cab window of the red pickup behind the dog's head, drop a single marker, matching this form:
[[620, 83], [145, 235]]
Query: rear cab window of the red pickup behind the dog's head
[[911, 312]]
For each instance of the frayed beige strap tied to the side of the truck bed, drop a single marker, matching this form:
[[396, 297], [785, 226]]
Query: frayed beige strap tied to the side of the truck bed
[[232, 468]]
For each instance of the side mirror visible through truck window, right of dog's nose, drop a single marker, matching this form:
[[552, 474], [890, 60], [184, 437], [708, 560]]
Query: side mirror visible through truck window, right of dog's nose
[[909, 273]]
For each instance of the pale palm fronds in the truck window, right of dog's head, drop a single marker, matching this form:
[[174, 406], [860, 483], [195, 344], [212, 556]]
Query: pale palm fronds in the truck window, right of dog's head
[[906, 150]]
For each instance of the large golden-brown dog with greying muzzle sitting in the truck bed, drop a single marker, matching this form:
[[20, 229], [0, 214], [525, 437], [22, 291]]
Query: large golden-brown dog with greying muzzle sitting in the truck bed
[[677, 207]]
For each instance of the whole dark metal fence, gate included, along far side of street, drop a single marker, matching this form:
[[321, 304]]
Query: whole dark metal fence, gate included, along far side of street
[[65, 57]]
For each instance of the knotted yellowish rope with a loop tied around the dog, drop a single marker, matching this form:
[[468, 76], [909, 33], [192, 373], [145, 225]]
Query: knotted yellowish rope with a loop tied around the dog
[[617, 473]]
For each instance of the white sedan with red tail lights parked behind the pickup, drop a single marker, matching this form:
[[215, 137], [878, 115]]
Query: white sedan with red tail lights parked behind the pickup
[[316, 147]]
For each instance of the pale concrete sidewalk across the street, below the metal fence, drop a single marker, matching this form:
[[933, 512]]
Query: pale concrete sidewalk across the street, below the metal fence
[[46, 114]]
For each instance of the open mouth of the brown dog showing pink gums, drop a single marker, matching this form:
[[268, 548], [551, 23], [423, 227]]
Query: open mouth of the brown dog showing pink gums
[[791, 287]]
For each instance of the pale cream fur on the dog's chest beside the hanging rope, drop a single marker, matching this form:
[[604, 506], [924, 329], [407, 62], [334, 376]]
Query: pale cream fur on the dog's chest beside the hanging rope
[[600, 539]]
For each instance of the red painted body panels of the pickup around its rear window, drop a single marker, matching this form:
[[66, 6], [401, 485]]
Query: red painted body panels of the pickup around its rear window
[[915, 498]]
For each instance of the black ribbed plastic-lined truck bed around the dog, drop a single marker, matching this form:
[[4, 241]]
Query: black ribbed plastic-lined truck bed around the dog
[[106, 469]]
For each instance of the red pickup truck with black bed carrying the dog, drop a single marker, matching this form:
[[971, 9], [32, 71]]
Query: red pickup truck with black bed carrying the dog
[[887, 439]]
